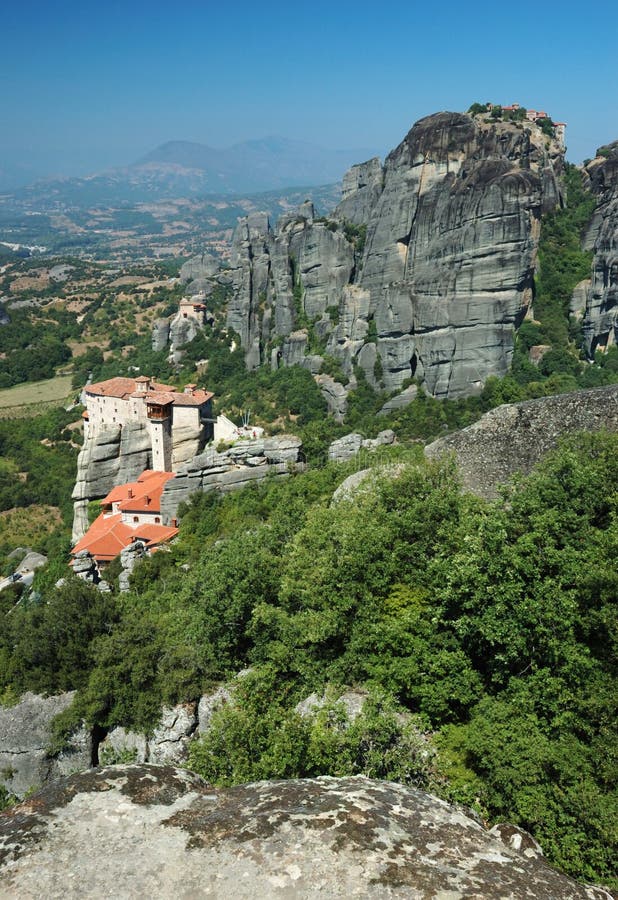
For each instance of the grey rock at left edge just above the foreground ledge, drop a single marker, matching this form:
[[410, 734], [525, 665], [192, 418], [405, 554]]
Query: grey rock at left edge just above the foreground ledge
[[25, 735]]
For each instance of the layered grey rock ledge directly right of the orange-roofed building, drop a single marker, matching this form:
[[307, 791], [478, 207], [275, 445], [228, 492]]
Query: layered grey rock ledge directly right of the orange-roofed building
[[246, 462]]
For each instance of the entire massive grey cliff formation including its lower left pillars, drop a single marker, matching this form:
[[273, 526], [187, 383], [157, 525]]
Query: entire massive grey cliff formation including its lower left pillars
[[445, 274]]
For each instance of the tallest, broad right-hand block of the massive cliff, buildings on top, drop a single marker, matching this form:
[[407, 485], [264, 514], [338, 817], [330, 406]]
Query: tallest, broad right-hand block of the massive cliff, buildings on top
[[451, 249]]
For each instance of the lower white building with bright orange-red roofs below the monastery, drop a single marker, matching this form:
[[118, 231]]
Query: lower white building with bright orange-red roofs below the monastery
[[130, 512]]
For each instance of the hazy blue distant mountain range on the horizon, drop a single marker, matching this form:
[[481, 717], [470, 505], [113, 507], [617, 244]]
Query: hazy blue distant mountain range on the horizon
[[186, 169]]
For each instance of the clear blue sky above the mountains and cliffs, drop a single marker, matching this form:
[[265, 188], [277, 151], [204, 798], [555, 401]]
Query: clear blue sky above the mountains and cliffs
[[89, 85]]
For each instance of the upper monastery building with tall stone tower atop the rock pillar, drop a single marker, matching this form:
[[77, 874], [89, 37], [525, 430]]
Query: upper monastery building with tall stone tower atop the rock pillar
[[119, 401]]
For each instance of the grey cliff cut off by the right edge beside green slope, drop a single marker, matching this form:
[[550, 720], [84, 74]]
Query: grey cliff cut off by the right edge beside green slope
[[600, 322]]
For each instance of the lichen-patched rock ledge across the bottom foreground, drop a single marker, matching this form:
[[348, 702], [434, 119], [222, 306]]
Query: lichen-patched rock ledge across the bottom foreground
[[149, 831]]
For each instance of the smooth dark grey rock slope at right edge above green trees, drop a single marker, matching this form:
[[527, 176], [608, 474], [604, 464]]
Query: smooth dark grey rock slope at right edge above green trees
[[514, 437]]
